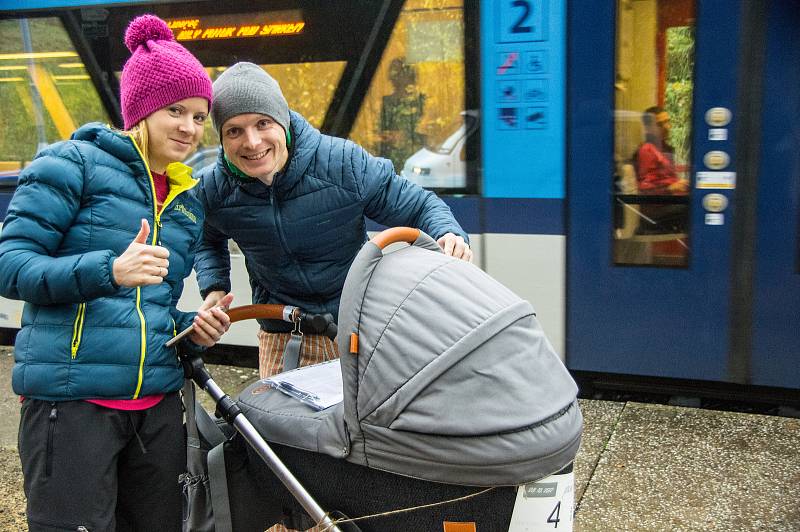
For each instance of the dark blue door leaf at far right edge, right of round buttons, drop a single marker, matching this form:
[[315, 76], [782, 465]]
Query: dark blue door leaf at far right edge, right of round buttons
[[776, 294]]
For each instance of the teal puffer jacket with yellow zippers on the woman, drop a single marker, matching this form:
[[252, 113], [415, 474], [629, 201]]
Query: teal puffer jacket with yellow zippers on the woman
[[77, 208]]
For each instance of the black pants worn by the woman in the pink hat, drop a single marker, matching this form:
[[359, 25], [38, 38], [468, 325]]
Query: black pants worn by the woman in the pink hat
[[92, 468]]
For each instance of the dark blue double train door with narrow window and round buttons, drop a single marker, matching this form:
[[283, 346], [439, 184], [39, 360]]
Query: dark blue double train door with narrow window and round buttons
[[682, 143]]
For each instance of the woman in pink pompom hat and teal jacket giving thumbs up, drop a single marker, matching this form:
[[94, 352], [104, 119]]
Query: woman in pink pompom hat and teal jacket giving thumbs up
[[98, 238]]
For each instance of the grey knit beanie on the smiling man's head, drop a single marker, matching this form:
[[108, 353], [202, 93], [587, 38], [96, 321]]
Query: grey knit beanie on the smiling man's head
[[247, 88]]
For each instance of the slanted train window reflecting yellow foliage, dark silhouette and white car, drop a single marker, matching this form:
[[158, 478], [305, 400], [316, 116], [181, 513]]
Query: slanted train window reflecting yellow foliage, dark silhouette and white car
[[414, 111]]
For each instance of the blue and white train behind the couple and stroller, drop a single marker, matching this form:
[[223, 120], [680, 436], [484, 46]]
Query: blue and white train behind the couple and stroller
[[527, 117]]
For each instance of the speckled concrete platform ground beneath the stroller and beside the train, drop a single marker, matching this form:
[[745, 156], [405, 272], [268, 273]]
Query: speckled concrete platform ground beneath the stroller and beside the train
[[641, 466]]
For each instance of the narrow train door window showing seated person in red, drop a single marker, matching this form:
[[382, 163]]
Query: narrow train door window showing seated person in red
[[652, 132]]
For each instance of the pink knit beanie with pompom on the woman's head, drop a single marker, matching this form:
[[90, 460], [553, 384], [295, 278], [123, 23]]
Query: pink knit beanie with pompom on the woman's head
[[159, 72]]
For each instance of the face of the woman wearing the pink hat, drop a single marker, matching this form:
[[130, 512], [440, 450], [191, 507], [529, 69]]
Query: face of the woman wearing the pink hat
[[174, 132]]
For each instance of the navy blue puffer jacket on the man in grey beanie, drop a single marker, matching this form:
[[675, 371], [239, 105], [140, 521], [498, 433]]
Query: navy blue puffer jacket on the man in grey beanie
[[300, 235]]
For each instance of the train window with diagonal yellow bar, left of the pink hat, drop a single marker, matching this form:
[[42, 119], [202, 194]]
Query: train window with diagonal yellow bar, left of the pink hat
[[45, 92]]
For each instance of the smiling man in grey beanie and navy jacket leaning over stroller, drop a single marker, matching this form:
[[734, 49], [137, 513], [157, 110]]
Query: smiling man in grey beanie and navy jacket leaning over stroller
[[294, 200]]
